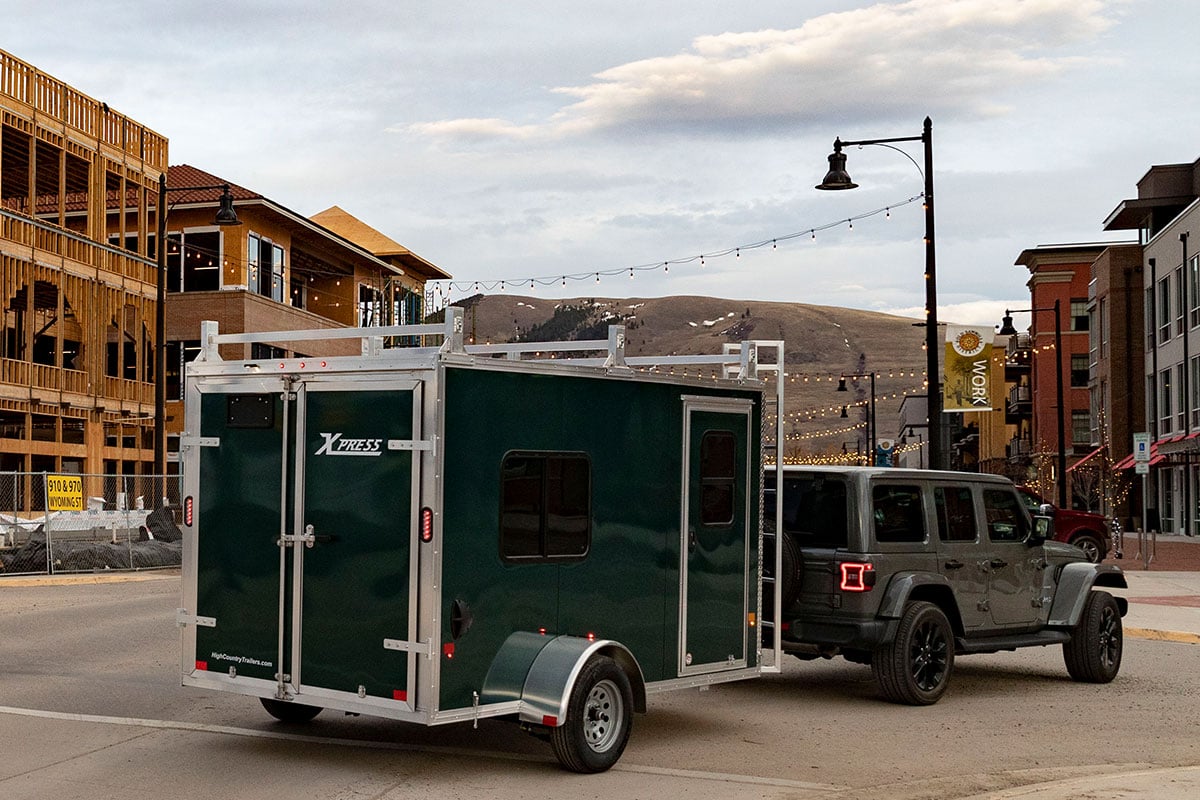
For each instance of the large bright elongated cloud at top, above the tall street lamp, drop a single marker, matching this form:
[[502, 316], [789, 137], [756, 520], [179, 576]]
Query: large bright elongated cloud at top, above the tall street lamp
[[949, 57]]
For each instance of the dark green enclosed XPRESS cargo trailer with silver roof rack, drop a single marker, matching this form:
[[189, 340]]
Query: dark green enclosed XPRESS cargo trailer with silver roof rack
[[447, 533]]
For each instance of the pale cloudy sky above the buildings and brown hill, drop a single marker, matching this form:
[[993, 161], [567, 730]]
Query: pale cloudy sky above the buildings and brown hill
[[551, 142]]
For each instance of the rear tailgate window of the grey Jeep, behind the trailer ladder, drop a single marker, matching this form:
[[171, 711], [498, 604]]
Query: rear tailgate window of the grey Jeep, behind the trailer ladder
[[814, 510]]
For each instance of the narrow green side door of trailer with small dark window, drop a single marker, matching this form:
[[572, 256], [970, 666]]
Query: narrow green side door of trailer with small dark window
[[716, 566]]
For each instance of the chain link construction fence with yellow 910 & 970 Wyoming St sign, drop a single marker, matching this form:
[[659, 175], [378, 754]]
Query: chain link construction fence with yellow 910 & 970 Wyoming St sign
[[61, 524]]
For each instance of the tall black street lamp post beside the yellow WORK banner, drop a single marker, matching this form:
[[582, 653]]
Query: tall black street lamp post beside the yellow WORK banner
[[838, 179]]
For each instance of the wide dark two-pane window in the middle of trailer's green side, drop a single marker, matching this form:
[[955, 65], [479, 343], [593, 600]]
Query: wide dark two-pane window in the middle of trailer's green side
[[545, 507]]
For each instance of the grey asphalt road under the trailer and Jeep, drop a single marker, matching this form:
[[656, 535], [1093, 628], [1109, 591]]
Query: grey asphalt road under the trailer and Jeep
[[91, 708]]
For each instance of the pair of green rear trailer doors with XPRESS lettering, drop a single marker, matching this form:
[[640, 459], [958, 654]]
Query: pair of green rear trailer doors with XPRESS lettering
[[308, 514]]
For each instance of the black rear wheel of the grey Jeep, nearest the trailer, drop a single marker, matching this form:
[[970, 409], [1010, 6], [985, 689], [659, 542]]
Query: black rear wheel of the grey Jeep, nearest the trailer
[[915, 669]]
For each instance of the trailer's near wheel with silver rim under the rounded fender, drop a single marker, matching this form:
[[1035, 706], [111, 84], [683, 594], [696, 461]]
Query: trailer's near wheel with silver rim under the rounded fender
[[599, 718]]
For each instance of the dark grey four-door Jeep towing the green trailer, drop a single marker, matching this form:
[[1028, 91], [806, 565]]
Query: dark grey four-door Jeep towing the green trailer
[[905, 570]]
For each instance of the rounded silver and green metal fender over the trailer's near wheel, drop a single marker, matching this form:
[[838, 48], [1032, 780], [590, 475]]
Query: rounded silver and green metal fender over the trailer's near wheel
[[541, 672]]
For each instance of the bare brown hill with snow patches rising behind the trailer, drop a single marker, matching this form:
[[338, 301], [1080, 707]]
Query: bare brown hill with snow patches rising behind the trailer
[[821, 344]]
